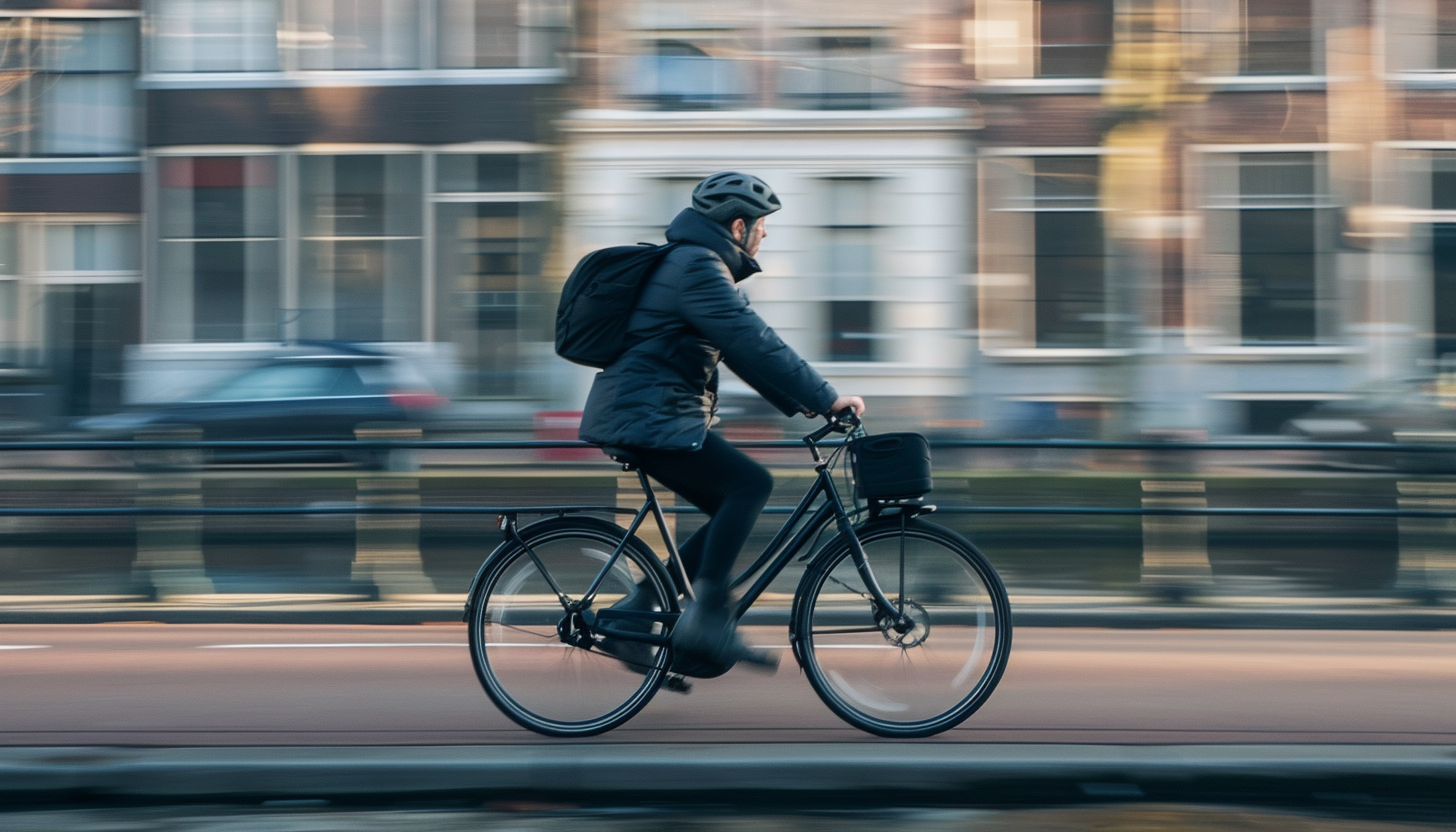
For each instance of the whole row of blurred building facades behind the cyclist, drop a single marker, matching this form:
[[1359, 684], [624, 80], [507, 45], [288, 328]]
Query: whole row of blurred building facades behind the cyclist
[[1077, 218]]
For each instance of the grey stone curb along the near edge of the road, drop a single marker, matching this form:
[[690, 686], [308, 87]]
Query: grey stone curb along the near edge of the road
[[838, 774]]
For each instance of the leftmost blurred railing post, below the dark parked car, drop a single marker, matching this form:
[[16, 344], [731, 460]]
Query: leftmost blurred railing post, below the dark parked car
[[170, 549]]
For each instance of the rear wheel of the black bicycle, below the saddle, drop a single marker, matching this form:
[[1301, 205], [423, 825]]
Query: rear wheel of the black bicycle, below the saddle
[[541, 662]]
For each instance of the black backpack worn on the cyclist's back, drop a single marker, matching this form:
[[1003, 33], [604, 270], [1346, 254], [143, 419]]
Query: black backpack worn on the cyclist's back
[[592, 318]]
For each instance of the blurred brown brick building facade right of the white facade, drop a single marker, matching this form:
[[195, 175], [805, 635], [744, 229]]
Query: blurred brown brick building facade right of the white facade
[[1209, 213]]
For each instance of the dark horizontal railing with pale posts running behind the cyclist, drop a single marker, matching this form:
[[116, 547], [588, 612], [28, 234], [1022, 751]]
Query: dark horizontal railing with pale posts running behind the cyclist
[[168, 509]]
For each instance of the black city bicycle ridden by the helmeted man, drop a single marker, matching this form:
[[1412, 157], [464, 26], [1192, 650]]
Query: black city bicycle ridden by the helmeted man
[[902, 626]]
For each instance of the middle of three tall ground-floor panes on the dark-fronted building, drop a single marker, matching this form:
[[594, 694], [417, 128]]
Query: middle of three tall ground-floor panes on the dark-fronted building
[[360, 248]]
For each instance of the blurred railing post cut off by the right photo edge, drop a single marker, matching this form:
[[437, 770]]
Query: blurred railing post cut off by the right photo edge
[[1428, 556]]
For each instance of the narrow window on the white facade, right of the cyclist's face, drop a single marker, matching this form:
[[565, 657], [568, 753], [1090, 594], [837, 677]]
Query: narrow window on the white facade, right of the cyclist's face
[[850, 262]]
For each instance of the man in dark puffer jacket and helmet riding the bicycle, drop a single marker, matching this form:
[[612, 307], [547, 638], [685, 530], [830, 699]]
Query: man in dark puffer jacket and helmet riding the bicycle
[[659, 400]]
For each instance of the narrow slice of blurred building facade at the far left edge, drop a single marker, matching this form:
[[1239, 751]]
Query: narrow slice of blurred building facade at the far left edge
[[71, 205]]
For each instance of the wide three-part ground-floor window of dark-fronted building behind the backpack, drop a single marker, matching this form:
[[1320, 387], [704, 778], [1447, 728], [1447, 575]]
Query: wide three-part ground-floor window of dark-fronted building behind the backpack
[[324, 247]]
